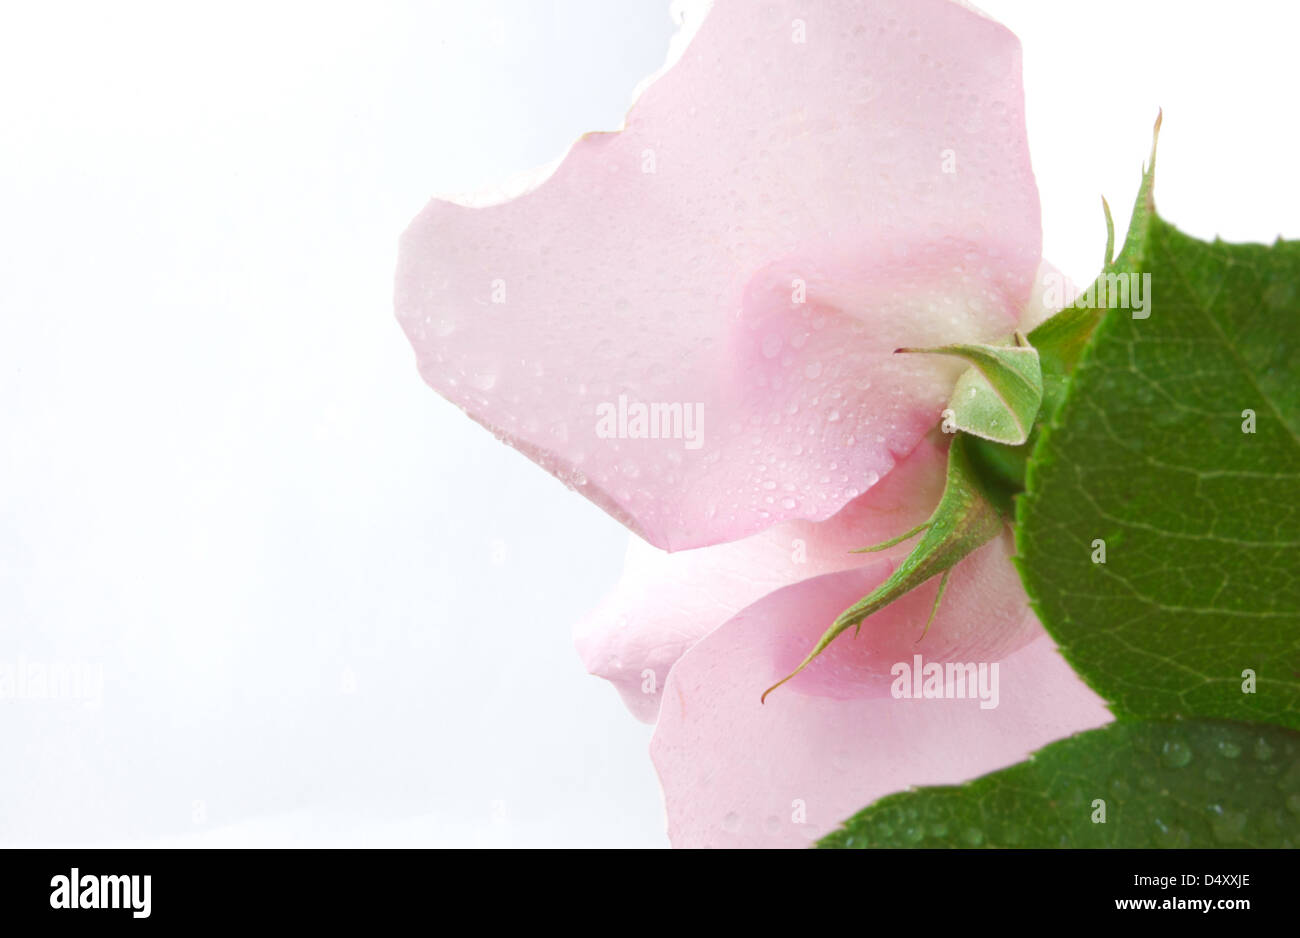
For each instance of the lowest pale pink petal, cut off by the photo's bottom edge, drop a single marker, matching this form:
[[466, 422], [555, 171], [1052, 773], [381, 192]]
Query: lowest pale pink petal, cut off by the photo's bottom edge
[[739, 774]]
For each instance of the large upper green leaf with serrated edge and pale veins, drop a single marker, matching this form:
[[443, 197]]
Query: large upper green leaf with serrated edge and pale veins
[[1175, 458]]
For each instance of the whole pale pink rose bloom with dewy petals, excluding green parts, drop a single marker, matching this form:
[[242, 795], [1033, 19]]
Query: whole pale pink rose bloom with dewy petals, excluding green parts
[[692, 323]]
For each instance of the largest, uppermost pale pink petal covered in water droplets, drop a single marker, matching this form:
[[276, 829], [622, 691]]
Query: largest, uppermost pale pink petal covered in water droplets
[[775, 163]]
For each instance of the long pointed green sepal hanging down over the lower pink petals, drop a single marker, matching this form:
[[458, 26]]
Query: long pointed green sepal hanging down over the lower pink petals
[[964, 520]]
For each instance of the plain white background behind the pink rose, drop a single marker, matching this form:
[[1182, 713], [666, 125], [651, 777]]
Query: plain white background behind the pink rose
[[328, 609]]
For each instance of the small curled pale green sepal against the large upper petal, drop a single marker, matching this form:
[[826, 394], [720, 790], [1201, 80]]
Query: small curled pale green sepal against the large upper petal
[[998, 398]]
